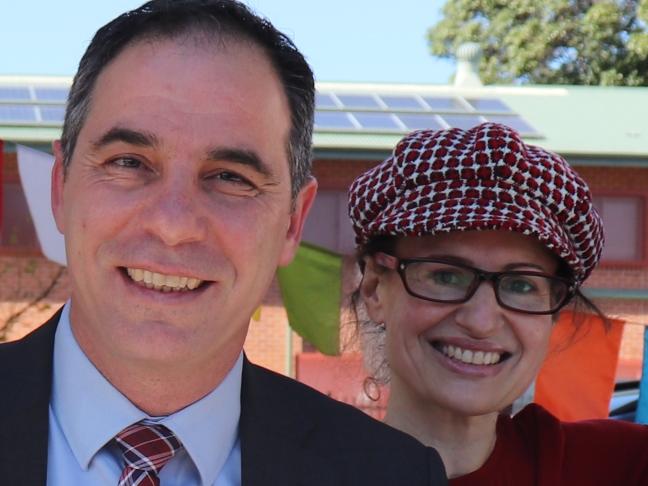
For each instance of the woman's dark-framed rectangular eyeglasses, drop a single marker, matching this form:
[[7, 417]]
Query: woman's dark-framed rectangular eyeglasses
[[439, 280]]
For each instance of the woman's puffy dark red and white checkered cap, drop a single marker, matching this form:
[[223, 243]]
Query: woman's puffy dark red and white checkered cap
[[479, 179]]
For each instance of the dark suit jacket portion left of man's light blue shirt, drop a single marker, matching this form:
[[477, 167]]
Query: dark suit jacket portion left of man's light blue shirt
[[26, 374]]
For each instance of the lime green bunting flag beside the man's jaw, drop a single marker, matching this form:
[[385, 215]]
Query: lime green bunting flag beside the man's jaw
[[311, 288]]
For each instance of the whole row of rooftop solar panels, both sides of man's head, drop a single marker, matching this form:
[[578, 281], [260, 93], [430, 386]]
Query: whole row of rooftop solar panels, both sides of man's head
[[335, 111]]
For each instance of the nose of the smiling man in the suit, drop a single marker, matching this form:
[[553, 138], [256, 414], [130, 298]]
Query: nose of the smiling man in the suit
[[174, 214]]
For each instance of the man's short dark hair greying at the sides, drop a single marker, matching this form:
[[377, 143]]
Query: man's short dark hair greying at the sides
[[219, 19]]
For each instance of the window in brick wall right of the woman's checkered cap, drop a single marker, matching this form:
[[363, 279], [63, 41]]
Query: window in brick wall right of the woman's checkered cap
[[623, 221]]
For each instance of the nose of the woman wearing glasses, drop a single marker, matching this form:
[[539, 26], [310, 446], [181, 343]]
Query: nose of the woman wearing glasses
[[481, 316]]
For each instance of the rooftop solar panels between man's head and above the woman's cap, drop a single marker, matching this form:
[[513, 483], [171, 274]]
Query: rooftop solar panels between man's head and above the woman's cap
[[385, 113]]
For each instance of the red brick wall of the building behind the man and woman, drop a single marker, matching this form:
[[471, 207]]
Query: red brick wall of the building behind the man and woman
[[22, 279]]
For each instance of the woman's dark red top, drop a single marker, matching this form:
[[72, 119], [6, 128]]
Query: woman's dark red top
[[535, 448]]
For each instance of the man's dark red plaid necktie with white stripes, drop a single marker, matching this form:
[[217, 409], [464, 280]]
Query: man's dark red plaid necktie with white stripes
[[146, 448]]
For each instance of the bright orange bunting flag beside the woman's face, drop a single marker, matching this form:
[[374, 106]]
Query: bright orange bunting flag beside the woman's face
[[576, 381]]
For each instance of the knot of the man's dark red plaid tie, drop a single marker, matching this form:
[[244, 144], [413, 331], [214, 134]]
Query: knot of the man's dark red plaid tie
[[147, 447]]
